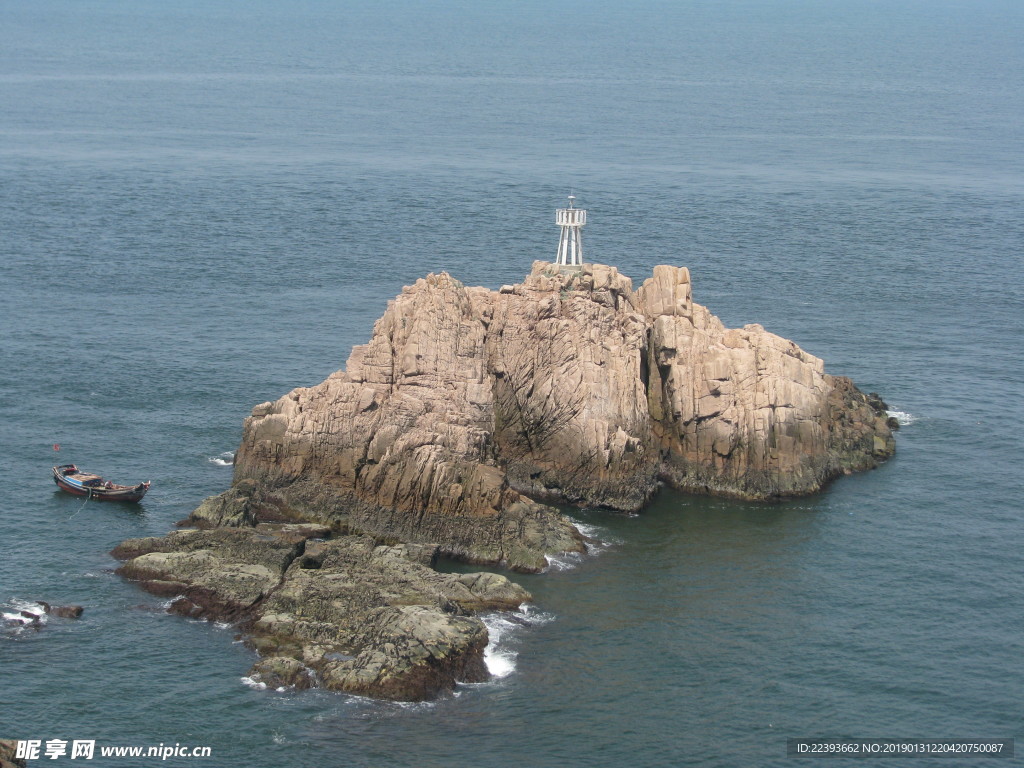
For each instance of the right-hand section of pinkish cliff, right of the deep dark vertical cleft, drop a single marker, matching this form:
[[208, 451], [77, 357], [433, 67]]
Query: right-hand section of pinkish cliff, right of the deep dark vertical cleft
[[745, 412]]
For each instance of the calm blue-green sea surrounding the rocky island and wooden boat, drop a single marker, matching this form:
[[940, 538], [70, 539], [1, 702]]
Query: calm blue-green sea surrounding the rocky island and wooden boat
[[204, 205]]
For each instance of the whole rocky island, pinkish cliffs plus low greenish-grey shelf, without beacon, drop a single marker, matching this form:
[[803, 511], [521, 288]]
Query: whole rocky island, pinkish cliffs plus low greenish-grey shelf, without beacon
[[449, 432]]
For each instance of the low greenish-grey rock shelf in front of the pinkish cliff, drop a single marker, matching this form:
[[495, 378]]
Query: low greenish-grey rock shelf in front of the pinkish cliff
[[345, 614]]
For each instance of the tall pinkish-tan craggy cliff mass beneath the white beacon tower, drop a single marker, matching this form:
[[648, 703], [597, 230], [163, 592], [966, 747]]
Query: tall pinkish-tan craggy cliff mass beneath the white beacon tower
[[571, 388]]
